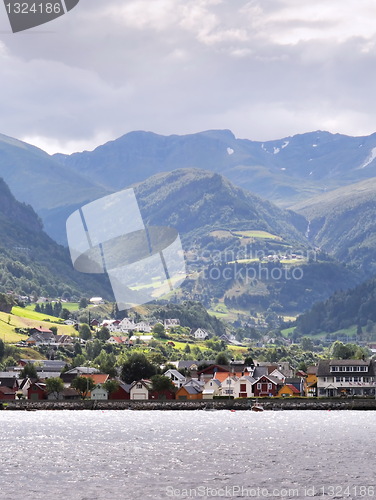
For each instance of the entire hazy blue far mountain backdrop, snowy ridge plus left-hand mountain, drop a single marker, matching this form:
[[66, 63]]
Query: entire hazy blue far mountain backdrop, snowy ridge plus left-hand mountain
[[285, 171]]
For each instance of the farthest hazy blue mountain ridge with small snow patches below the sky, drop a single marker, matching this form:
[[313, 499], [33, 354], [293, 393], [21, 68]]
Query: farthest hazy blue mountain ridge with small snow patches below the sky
[[284, 170]]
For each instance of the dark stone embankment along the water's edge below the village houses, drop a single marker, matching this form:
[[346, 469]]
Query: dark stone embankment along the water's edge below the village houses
[[173, 405]]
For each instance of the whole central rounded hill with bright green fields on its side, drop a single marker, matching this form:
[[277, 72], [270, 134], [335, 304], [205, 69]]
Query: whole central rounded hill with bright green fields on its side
[[222, 222]]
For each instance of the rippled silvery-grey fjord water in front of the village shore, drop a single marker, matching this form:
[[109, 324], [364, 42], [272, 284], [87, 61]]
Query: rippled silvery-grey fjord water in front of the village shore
[[82, 455]]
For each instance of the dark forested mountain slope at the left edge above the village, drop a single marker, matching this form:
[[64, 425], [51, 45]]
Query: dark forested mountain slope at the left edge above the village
[[30, 261]]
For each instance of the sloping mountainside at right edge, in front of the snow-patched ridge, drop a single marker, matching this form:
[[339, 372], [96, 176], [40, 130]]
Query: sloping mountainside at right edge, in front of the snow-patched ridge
[[343, 223]]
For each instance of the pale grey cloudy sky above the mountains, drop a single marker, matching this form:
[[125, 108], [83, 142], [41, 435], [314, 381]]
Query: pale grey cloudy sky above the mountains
[[265, 69]]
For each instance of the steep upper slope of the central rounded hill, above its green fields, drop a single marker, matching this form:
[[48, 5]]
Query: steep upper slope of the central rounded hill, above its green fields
[[196, 202]]
